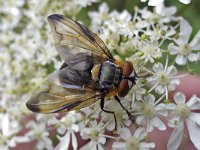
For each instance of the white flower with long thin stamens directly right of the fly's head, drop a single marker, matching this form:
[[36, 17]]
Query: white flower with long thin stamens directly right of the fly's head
[[164, 78]]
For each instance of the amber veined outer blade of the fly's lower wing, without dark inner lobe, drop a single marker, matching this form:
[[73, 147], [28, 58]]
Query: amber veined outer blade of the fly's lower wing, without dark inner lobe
[[52, 98]]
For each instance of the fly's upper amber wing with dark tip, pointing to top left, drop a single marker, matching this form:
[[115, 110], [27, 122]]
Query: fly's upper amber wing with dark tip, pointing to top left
[[69, 32]]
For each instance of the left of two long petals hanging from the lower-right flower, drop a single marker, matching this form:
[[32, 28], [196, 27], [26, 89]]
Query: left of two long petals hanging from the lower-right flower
[[176, 137]]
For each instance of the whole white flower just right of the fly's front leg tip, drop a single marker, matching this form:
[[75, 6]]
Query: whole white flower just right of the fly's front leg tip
[[149, 112]]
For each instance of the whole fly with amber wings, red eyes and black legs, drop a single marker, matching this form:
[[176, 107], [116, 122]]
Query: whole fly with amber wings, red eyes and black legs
[[87, 74]]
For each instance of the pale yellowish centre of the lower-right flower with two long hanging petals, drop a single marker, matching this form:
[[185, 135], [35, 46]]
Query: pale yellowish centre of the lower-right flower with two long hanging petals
[[183, 111]]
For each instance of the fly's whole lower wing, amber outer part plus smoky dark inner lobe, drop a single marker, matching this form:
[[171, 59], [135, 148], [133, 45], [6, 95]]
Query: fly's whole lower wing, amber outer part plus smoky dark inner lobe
[[65, 90]]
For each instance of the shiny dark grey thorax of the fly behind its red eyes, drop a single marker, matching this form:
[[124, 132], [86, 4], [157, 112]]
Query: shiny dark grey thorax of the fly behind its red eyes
[[110, 75]]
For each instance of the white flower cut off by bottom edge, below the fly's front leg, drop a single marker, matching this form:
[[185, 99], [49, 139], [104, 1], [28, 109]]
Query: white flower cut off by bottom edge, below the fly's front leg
[[133, 142]]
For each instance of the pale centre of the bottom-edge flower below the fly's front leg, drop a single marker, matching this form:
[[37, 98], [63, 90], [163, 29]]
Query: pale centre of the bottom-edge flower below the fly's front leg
[[132, 143]]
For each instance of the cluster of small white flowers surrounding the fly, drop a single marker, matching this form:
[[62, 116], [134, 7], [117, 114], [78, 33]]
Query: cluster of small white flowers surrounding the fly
[[156, 42]]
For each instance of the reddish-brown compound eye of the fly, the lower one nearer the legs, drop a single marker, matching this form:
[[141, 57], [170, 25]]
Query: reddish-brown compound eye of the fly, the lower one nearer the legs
[[123, 88]]
